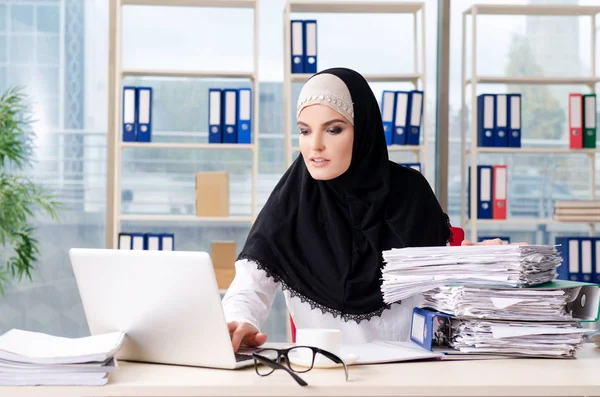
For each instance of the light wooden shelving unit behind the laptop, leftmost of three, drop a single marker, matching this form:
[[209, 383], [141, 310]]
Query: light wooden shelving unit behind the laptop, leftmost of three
[[115, 144]]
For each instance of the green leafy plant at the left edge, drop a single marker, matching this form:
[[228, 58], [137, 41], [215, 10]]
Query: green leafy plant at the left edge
[[21, 200]]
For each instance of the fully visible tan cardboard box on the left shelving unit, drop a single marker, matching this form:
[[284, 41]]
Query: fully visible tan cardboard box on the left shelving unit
[[212, 194]]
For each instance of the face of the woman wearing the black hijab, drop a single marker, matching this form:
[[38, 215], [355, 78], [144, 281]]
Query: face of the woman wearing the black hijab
[[326, 139]]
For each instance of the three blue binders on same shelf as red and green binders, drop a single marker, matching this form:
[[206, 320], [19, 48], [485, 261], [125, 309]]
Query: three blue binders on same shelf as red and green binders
[[499, 120]]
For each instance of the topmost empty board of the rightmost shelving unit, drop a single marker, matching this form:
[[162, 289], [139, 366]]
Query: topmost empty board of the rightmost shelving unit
[[523, 9]]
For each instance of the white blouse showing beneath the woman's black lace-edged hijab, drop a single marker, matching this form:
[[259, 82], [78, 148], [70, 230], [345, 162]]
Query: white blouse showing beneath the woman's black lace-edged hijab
[[251, 293]]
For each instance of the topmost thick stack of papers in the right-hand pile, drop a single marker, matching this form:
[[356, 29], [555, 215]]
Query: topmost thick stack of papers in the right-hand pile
[[410, 271]]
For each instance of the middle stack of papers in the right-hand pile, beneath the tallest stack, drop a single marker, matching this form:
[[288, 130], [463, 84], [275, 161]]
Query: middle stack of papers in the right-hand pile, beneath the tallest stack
[[502, 304]]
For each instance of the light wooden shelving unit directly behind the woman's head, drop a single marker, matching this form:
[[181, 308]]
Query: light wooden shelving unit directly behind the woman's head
[[356, 7]]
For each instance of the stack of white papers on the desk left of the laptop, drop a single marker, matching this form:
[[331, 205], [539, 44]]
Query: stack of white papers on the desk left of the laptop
[[32, 359]]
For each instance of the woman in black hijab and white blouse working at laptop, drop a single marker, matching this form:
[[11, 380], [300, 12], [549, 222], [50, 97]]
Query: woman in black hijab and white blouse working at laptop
[[323, 229]]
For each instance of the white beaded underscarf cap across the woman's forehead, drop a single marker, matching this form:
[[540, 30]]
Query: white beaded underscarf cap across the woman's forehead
[[327, 89]]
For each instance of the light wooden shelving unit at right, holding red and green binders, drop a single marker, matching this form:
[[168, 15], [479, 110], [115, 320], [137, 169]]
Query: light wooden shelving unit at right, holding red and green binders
[[473, 151]]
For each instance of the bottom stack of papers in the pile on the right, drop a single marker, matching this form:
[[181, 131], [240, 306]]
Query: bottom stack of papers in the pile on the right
[[539, 339]]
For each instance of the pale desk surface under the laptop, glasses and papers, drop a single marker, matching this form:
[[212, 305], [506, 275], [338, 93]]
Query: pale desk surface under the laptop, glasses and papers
[[506, 377]]
